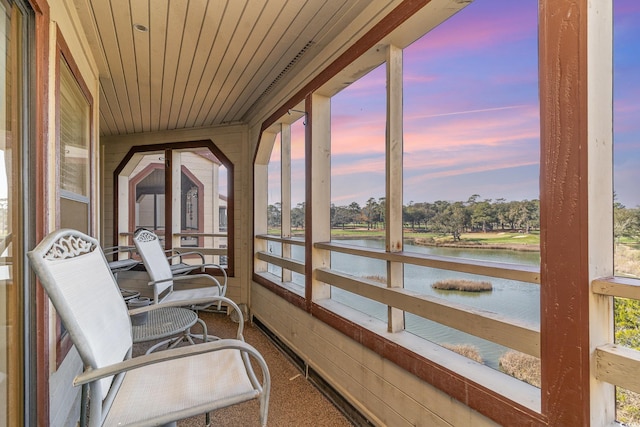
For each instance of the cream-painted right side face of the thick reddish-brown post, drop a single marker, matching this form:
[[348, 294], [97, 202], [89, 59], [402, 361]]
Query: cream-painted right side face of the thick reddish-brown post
[[599, 183]]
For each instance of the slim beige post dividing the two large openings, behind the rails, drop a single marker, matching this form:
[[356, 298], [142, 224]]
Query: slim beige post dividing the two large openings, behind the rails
[[393, 192]]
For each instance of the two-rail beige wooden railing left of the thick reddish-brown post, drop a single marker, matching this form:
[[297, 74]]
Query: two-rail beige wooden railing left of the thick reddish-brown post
[[493, 327]]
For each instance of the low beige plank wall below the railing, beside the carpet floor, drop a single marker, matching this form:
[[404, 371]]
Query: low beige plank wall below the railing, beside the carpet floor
[[386, 394]]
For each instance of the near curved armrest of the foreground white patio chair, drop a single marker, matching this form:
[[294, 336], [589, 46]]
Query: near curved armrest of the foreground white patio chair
[[92, 375]]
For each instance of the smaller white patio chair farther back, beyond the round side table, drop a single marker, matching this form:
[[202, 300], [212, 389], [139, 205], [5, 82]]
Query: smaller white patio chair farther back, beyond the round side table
[[163, 279]]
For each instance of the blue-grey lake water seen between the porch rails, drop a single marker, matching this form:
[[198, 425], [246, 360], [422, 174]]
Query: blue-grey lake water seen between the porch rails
[[512, 299]]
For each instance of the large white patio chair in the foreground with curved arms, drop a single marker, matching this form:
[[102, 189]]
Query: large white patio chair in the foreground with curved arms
[[154, 389]]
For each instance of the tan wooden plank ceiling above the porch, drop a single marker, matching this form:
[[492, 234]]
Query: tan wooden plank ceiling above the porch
[[201, 62]]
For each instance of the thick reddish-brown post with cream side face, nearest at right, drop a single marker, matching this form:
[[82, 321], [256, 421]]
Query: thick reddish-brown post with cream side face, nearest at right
[[575, 207]]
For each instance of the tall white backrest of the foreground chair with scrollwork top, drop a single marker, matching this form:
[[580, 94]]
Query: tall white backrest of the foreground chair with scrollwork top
[[75, 274]]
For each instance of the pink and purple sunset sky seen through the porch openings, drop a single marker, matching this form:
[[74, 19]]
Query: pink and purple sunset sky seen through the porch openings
[[471, 113]]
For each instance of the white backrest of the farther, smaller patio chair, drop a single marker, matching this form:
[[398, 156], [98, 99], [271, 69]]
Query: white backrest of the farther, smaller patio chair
[[154, 258]]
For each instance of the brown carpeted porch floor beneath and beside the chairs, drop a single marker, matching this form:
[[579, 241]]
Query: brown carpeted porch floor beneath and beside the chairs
[[294, 401]]
